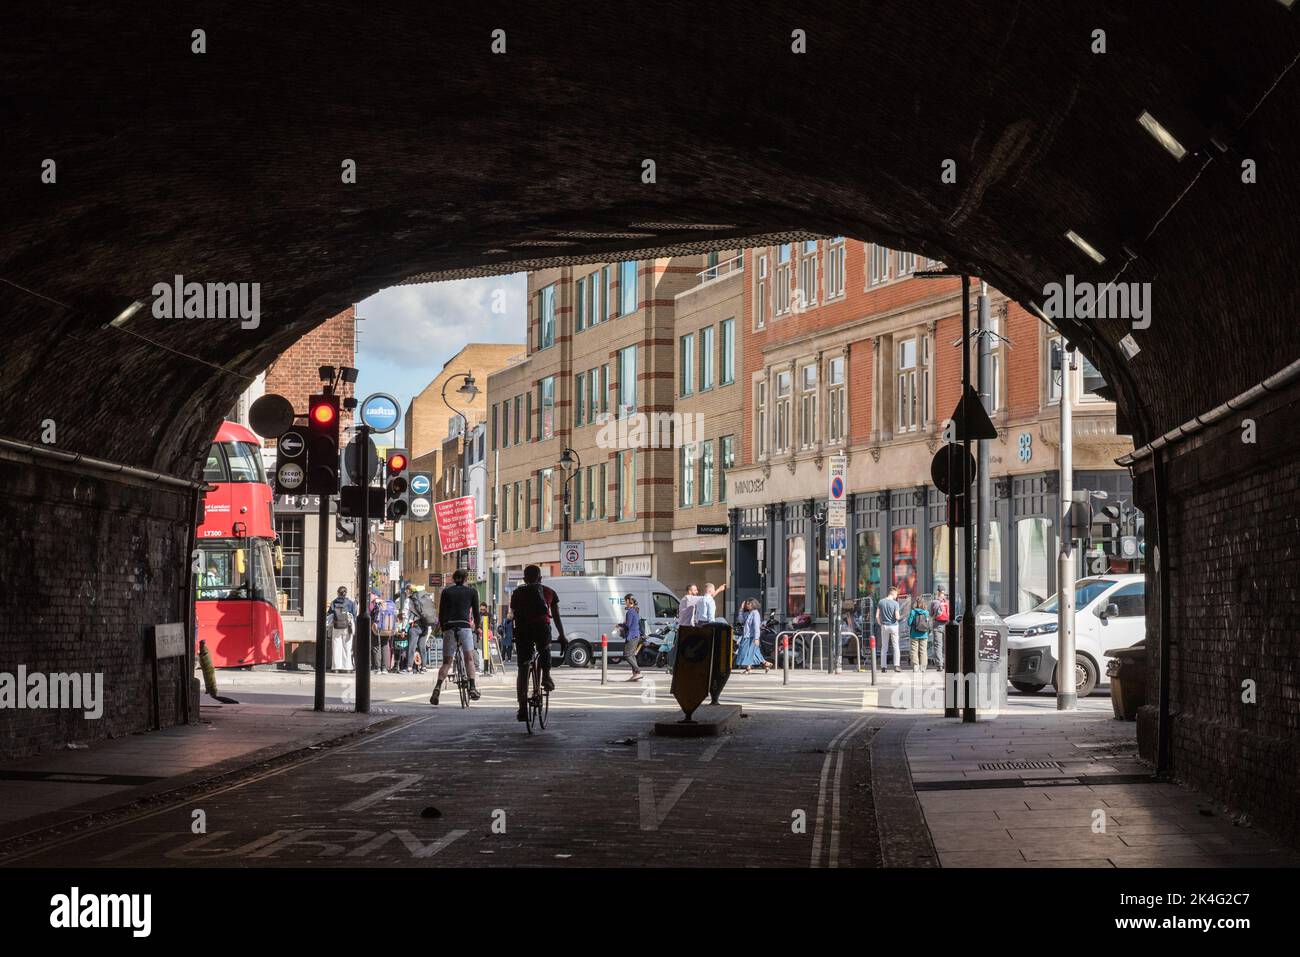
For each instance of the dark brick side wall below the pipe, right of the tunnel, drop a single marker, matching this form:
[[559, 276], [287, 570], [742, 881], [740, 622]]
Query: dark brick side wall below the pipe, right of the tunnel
[[1236, 599]]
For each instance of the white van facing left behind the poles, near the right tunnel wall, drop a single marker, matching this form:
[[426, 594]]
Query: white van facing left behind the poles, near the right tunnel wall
[[1111, 612]]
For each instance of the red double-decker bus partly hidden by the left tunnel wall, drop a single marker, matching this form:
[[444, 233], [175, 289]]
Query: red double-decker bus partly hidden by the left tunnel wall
[[236, 603]]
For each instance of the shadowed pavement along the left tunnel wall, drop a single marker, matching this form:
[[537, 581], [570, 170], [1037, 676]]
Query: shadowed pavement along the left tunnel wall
[[60, 787]]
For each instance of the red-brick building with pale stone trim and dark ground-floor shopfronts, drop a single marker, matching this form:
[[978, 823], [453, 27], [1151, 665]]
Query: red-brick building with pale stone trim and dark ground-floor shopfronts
[[847, 352]]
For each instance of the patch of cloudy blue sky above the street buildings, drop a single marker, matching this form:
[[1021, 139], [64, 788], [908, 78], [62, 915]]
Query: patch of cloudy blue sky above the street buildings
[[409, 332]]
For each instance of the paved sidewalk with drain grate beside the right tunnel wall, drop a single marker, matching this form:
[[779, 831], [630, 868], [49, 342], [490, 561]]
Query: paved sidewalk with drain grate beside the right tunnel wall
[[1069, 793]]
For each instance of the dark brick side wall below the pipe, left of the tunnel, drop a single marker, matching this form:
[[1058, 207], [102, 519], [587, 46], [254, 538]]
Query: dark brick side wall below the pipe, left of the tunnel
[[89, 566]]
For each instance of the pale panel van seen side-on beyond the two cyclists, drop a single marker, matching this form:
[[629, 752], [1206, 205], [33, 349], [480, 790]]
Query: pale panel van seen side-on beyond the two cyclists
[[592, 605]]
